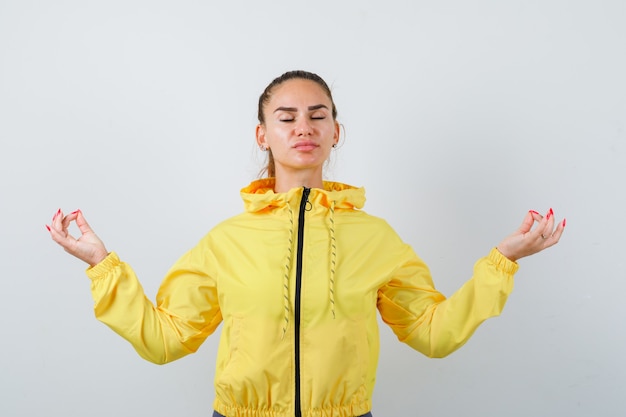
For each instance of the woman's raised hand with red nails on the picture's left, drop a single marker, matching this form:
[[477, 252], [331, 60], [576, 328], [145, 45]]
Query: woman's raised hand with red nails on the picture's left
[[88, 247]]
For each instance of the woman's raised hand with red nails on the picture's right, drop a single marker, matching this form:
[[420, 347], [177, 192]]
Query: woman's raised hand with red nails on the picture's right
[[527, 241]]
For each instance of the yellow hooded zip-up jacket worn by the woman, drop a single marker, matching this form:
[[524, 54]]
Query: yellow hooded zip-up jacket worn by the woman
[[297, 282]]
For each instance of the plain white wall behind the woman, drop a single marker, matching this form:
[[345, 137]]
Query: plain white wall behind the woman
[[459, 116]]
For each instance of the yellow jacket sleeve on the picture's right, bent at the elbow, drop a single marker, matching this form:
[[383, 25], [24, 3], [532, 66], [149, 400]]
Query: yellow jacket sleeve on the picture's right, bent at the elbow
[[424, 319]]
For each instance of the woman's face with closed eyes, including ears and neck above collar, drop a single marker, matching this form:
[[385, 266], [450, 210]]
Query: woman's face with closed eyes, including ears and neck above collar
[[299, 128]]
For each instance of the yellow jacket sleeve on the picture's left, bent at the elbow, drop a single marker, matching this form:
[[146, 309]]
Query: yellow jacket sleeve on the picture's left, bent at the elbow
[[186, 312]]
